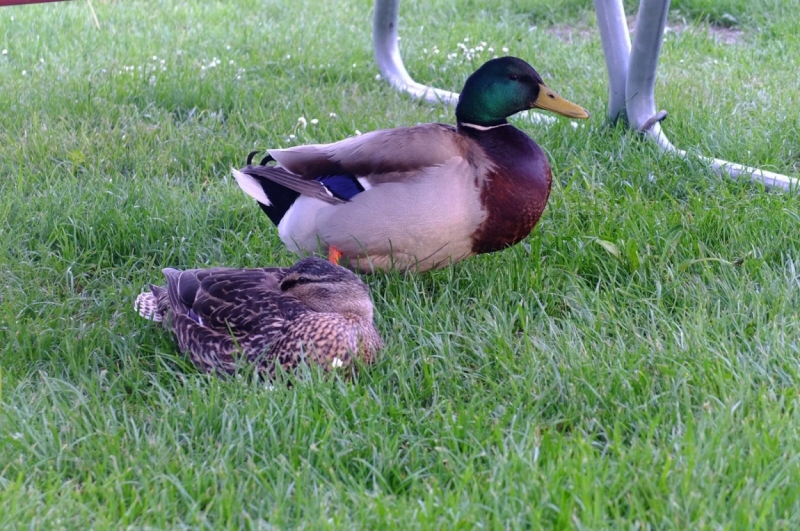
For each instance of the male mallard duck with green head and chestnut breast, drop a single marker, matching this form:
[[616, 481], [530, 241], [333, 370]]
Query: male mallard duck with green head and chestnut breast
[[418, 197]]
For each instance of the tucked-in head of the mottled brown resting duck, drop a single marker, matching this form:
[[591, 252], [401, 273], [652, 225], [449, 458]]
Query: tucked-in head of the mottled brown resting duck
[[324, 287]]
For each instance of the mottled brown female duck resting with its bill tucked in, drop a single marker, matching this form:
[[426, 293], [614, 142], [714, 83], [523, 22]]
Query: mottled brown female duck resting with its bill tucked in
[[314, 311]]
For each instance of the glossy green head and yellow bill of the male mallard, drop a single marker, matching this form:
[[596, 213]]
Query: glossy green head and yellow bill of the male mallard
[[506, 86]]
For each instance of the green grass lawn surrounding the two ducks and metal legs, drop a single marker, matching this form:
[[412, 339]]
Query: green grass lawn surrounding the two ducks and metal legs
[[634, 363]]
